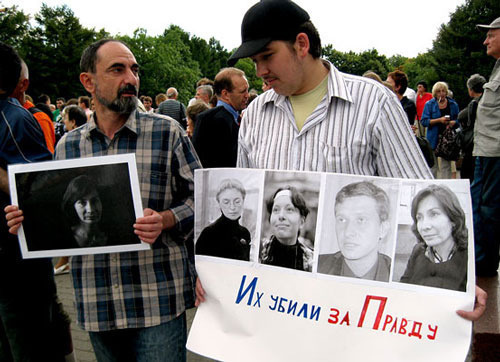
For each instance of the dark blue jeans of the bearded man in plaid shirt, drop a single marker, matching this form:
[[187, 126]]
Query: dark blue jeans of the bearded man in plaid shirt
[[165, 342]]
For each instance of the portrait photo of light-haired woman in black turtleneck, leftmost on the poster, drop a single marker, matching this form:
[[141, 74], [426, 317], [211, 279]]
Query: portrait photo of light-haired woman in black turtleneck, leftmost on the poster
[[227, 214]]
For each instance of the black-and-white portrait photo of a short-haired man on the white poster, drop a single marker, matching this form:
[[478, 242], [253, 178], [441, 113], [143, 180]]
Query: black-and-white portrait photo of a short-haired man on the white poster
[[358, 228]]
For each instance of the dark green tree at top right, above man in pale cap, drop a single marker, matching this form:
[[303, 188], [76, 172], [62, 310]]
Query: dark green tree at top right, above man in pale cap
[[458, 49]]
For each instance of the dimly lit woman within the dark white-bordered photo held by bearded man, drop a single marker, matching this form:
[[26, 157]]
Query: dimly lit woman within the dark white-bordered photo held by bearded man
[[82, 208]]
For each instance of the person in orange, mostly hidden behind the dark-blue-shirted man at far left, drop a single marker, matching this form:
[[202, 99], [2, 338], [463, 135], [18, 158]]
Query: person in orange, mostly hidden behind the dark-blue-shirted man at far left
[[45, 122]]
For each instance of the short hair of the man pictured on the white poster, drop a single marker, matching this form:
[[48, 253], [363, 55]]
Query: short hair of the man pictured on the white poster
[[366, 188]]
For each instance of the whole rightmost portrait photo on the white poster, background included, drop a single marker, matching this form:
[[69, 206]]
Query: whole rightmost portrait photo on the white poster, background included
[[432, 247]]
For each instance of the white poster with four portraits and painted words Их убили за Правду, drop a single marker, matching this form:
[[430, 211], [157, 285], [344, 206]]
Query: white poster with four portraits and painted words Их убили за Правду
[[332, 267]]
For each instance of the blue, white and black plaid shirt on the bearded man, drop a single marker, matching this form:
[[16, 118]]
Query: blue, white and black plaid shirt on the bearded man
[[144, 288]]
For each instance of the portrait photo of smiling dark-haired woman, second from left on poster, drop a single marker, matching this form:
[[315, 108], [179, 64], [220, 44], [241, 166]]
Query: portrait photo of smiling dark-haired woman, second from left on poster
[[289, 220]]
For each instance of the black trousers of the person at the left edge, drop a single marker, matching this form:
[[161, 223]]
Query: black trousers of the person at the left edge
[[32, 327]]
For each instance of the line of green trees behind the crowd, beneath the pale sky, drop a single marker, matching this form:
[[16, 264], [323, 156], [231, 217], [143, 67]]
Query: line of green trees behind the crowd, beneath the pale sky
[[52, 47]]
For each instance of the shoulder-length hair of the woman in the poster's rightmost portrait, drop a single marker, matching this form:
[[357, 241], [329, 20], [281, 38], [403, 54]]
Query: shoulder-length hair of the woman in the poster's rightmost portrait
[[451, 207]]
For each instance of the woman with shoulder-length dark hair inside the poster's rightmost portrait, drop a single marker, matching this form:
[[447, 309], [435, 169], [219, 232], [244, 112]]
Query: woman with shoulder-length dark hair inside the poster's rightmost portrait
[[440, 257]]
